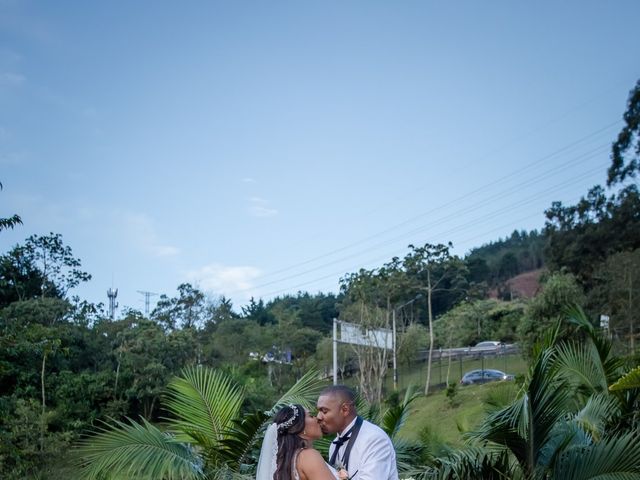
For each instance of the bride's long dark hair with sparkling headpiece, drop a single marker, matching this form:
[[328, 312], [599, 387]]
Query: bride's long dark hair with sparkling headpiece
[[290, 420]]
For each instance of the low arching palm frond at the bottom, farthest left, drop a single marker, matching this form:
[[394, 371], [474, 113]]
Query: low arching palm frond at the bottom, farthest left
[[133, 450]]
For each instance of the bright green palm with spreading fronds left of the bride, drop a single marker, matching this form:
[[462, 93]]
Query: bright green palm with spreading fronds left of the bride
[[206, 435]]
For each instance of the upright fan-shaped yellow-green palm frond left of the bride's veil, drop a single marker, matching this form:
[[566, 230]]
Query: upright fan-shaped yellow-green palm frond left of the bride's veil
[[204, 402]]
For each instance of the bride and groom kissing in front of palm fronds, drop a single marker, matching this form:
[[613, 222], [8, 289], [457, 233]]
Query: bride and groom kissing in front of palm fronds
[[361, 450]]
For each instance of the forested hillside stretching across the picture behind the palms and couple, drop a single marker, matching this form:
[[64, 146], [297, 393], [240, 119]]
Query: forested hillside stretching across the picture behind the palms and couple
[[65, 365]]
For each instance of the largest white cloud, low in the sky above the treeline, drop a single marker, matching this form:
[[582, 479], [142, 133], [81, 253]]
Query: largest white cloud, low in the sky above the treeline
[[221, 279]]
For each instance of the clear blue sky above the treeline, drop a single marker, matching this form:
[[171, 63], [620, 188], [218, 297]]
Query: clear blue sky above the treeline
[[261, 148]]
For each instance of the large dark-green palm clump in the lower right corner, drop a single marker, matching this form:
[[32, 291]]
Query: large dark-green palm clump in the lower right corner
[[565, 424]]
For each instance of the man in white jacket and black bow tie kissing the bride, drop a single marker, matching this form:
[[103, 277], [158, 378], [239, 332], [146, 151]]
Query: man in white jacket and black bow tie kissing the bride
[[361, 447]]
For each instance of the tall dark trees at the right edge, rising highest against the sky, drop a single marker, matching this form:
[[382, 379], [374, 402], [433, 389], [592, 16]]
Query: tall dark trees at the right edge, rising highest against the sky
[[597, 240]]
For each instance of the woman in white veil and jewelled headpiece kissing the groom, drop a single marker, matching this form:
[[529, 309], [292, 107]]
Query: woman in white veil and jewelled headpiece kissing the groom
[[287, 449]]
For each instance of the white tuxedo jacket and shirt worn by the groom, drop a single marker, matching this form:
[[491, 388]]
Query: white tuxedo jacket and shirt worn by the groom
[[372, 455]]
